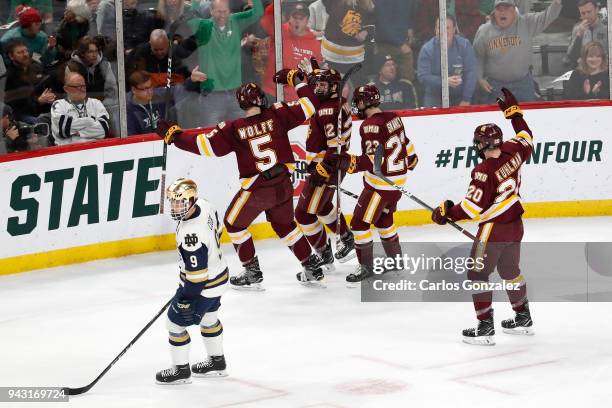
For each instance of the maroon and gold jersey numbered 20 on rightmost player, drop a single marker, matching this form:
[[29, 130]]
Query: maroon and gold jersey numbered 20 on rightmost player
[[493, 193]]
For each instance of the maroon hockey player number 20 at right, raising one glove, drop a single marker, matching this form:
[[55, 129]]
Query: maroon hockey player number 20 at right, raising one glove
[[493, 198]]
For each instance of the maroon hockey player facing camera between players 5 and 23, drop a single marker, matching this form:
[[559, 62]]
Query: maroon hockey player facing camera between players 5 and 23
[[315, 208]]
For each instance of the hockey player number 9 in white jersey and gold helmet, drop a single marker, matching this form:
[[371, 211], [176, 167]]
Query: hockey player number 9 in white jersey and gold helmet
[[203, 279]]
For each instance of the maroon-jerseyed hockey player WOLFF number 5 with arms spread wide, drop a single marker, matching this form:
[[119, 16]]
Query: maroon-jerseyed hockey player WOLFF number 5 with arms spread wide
[[265, 160]]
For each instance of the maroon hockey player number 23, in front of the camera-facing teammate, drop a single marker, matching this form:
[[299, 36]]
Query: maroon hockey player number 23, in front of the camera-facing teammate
[[378, 128]]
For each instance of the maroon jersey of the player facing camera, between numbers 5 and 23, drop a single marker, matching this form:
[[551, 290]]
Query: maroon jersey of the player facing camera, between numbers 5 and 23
[[322, 132]]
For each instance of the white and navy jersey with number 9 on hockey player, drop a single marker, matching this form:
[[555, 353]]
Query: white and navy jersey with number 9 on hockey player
[[203, 269]]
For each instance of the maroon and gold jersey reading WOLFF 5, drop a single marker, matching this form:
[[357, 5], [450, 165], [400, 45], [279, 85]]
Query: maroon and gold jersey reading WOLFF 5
[[260, 141]]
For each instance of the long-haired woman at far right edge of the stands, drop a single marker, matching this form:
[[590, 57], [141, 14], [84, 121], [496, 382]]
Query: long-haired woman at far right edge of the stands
[[590, 80]]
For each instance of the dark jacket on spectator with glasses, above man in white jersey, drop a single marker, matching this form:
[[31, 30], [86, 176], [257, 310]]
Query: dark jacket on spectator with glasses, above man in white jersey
[[99, 78]]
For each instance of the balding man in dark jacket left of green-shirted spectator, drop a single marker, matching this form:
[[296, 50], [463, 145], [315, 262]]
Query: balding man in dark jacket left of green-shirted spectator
[[153, 58]]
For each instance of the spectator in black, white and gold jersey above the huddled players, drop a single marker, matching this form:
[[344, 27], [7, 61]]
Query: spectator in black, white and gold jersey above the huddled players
[[350, 25]]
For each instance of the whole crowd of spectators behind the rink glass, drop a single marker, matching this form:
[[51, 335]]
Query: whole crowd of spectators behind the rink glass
[[59, 79]]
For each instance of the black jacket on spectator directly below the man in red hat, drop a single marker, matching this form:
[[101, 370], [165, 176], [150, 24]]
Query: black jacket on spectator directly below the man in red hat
[[23, 87]]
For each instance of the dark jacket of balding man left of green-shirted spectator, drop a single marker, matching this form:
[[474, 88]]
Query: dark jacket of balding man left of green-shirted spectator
[[141, 59]]
